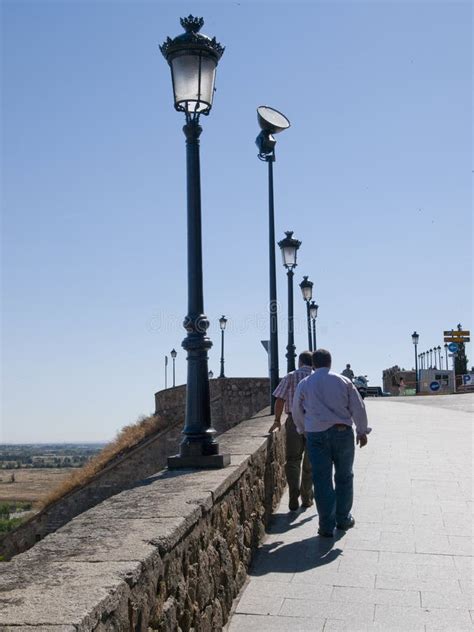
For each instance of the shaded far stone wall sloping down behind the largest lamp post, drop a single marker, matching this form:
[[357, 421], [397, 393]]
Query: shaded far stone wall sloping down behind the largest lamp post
[[143, 460]]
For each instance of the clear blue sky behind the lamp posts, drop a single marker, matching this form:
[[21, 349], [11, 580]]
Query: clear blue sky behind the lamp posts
[[374, 177]]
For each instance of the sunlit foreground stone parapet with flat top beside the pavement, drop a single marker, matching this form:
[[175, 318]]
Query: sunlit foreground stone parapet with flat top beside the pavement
[[169, 555]]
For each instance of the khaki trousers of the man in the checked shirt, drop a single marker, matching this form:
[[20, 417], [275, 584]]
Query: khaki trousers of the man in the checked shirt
[[300, 483]]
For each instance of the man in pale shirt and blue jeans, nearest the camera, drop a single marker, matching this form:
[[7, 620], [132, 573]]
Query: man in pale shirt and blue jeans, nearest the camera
[[324, 407]]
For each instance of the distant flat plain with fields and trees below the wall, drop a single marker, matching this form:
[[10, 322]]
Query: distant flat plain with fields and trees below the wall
[[29, 472]]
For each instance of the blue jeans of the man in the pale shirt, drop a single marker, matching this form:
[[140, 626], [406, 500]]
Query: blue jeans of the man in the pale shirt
[[332, 447]]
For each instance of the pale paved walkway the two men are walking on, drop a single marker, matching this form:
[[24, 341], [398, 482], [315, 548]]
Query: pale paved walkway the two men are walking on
[[407, 564]]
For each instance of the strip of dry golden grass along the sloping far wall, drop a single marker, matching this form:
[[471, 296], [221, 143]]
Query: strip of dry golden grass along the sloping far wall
[[126, 439]]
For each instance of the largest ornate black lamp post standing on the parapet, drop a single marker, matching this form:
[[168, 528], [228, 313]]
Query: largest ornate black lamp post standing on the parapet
[[193, 59]]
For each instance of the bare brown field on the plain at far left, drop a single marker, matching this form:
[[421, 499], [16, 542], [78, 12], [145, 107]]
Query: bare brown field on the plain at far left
[[30, 484]]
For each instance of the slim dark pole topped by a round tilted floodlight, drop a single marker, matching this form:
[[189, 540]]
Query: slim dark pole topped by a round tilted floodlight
[[271, 122]]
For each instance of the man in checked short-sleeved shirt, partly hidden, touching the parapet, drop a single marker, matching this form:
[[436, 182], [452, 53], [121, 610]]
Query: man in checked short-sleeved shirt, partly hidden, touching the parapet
[[299, 482]]
